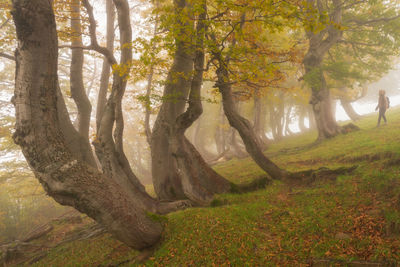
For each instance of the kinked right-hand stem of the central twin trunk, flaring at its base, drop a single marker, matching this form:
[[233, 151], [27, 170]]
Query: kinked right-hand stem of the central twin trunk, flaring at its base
[[199, 181]]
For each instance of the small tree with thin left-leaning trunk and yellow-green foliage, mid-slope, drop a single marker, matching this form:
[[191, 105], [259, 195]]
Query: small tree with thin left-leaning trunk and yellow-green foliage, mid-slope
[[232, 37]]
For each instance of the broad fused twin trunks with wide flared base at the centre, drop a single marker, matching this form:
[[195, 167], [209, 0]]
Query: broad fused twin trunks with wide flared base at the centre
[[179, 172]]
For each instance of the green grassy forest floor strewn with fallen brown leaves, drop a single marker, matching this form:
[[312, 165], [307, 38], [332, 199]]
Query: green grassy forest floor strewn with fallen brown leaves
[[342, 222]]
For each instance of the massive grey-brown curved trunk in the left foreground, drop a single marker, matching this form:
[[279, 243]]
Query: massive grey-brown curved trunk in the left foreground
[[67, 179]]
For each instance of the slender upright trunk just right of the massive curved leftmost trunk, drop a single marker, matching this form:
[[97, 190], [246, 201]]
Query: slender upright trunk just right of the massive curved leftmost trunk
[[76, 77]]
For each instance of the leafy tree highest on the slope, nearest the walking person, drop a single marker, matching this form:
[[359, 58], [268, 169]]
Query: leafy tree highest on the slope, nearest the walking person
[[364, 27]]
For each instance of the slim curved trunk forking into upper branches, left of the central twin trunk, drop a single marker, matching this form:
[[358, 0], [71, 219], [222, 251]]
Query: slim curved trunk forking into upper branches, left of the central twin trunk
[[109, 142]]
